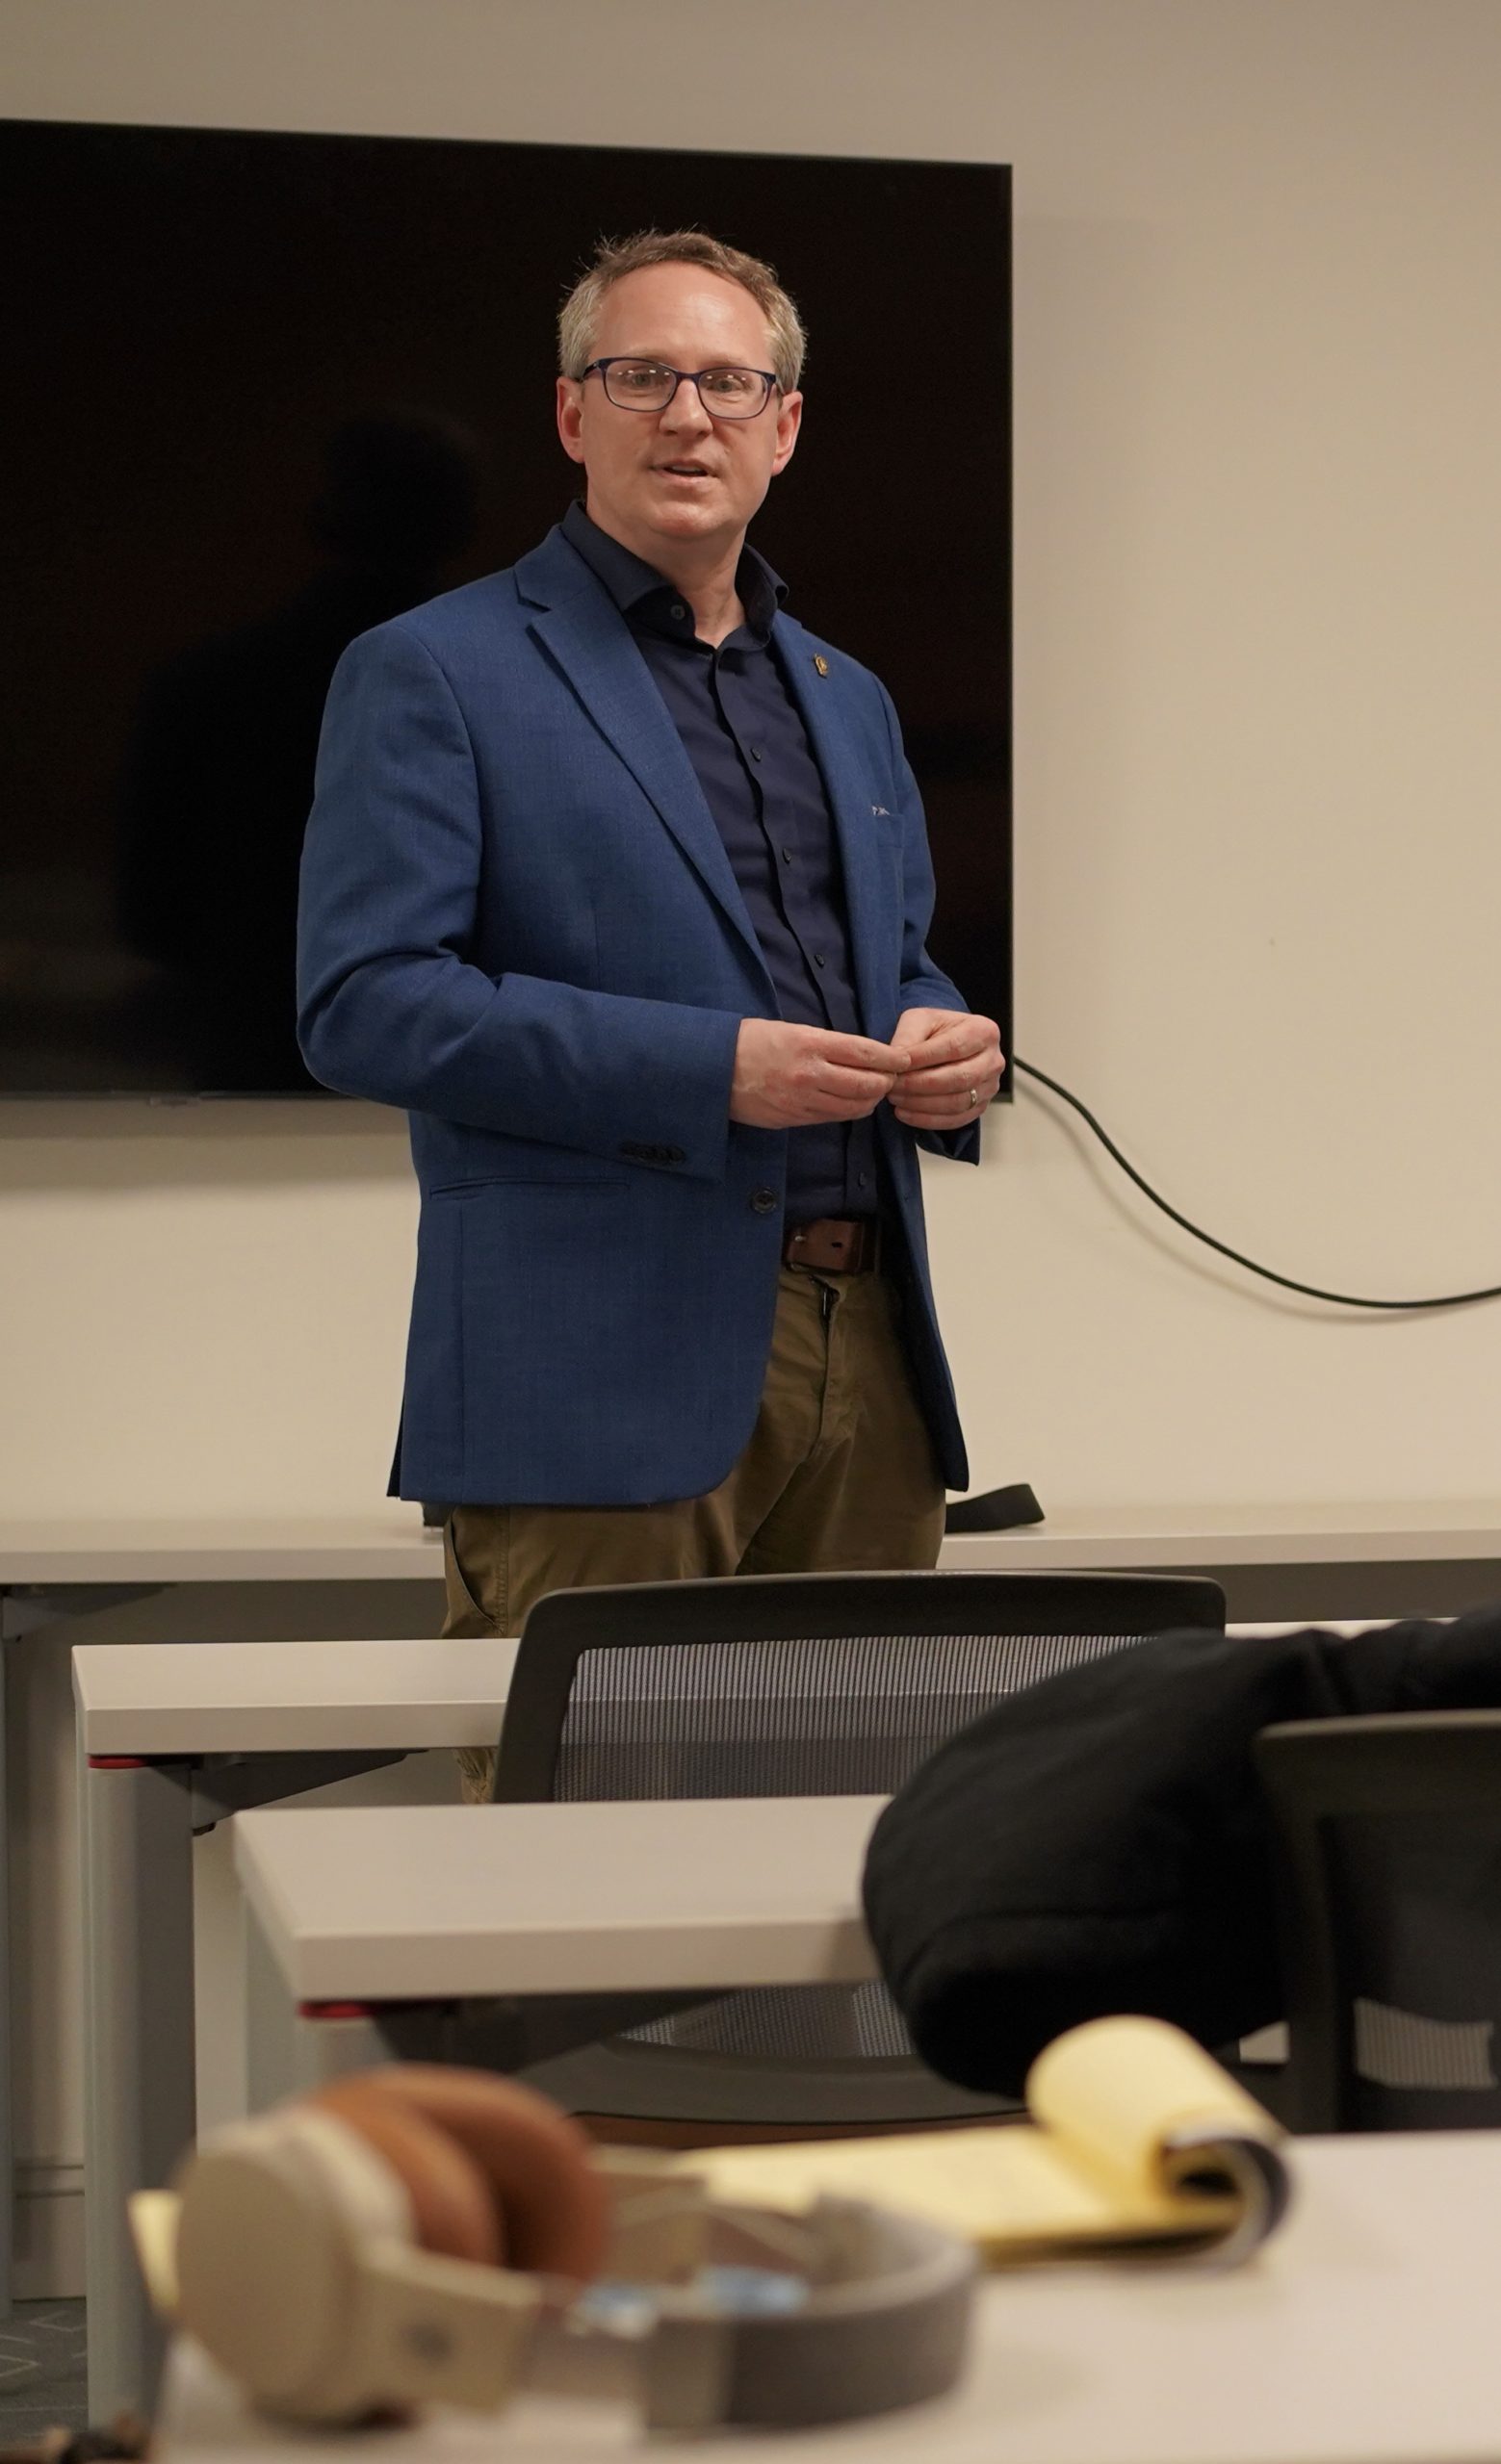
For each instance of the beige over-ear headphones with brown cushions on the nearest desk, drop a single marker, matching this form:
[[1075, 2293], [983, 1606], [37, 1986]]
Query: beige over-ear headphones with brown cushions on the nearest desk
[[425, 2234]]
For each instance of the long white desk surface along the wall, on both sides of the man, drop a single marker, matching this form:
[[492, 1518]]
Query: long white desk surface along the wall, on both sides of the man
[[393, 1544]]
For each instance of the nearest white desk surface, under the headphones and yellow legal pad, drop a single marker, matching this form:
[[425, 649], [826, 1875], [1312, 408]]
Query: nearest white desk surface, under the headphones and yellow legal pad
[[1364, 2335]]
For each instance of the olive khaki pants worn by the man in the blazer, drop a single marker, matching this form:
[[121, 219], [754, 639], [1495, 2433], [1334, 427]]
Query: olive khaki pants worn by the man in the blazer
[[839, 1475]]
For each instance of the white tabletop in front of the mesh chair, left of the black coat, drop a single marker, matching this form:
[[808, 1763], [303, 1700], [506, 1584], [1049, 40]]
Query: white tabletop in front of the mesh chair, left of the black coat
[[410, 1903]]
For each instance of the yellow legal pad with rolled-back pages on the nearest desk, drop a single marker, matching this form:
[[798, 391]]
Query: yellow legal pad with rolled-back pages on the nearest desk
[[1137, 2142]]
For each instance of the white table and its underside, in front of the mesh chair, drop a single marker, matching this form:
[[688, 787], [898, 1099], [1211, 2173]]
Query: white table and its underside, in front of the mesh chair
[[561, 1921]]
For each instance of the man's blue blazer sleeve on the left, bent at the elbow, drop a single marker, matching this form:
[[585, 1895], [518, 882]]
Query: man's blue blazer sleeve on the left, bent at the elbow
[[388, 1002]]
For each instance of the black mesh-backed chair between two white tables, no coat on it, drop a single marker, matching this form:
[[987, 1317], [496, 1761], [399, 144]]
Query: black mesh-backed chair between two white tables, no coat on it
[[787, 1687]]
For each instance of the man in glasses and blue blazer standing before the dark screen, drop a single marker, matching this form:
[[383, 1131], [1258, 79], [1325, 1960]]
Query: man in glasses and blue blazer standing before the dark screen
[[617, 881]]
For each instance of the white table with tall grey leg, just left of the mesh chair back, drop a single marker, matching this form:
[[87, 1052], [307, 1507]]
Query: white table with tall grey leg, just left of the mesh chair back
[[157, 1724]]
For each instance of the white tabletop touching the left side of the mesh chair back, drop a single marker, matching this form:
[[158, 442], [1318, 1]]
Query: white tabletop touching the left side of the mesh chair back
[[287, 1699]]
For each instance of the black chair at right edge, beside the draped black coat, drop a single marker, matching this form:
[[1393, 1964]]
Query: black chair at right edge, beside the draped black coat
[[1389, 1869]]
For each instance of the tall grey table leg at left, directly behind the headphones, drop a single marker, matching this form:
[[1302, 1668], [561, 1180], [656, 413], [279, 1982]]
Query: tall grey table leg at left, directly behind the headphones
[[139, 2049]]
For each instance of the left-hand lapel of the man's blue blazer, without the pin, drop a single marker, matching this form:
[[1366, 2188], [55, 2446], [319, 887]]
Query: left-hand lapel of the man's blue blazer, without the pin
[[585, 634]]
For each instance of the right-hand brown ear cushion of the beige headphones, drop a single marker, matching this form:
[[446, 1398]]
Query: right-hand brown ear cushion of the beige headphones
[[551, 2202]]
